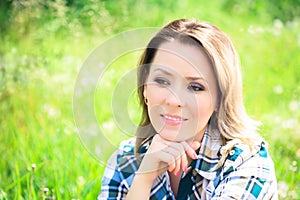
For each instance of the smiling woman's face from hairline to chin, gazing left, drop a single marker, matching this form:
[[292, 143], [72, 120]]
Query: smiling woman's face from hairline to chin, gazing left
[[181, 90]]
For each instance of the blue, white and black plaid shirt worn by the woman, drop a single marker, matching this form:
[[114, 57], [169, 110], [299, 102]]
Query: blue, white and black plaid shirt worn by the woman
[[244, 174]]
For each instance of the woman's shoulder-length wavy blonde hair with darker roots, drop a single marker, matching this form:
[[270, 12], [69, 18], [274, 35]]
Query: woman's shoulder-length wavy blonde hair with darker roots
[[230, 117]]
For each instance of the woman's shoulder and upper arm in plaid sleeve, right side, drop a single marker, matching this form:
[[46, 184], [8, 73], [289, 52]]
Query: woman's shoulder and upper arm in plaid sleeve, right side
[[247, 173]]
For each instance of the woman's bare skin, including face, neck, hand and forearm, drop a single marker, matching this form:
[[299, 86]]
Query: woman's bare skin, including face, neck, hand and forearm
[[181, 90]]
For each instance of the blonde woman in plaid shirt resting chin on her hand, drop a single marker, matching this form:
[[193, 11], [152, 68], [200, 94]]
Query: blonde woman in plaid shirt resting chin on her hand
[[195, 139]]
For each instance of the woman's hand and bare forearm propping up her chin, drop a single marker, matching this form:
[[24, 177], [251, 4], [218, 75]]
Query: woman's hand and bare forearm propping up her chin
[[162, 155]]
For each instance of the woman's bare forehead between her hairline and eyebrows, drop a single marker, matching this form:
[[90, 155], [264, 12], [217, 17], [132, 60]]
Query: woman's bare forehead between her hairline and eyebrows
[[186, 60]]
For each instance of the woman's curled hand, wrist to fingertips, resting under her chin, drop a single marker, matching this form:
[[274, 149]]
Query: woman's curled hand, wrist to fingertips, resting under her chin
[[165, 155]]
